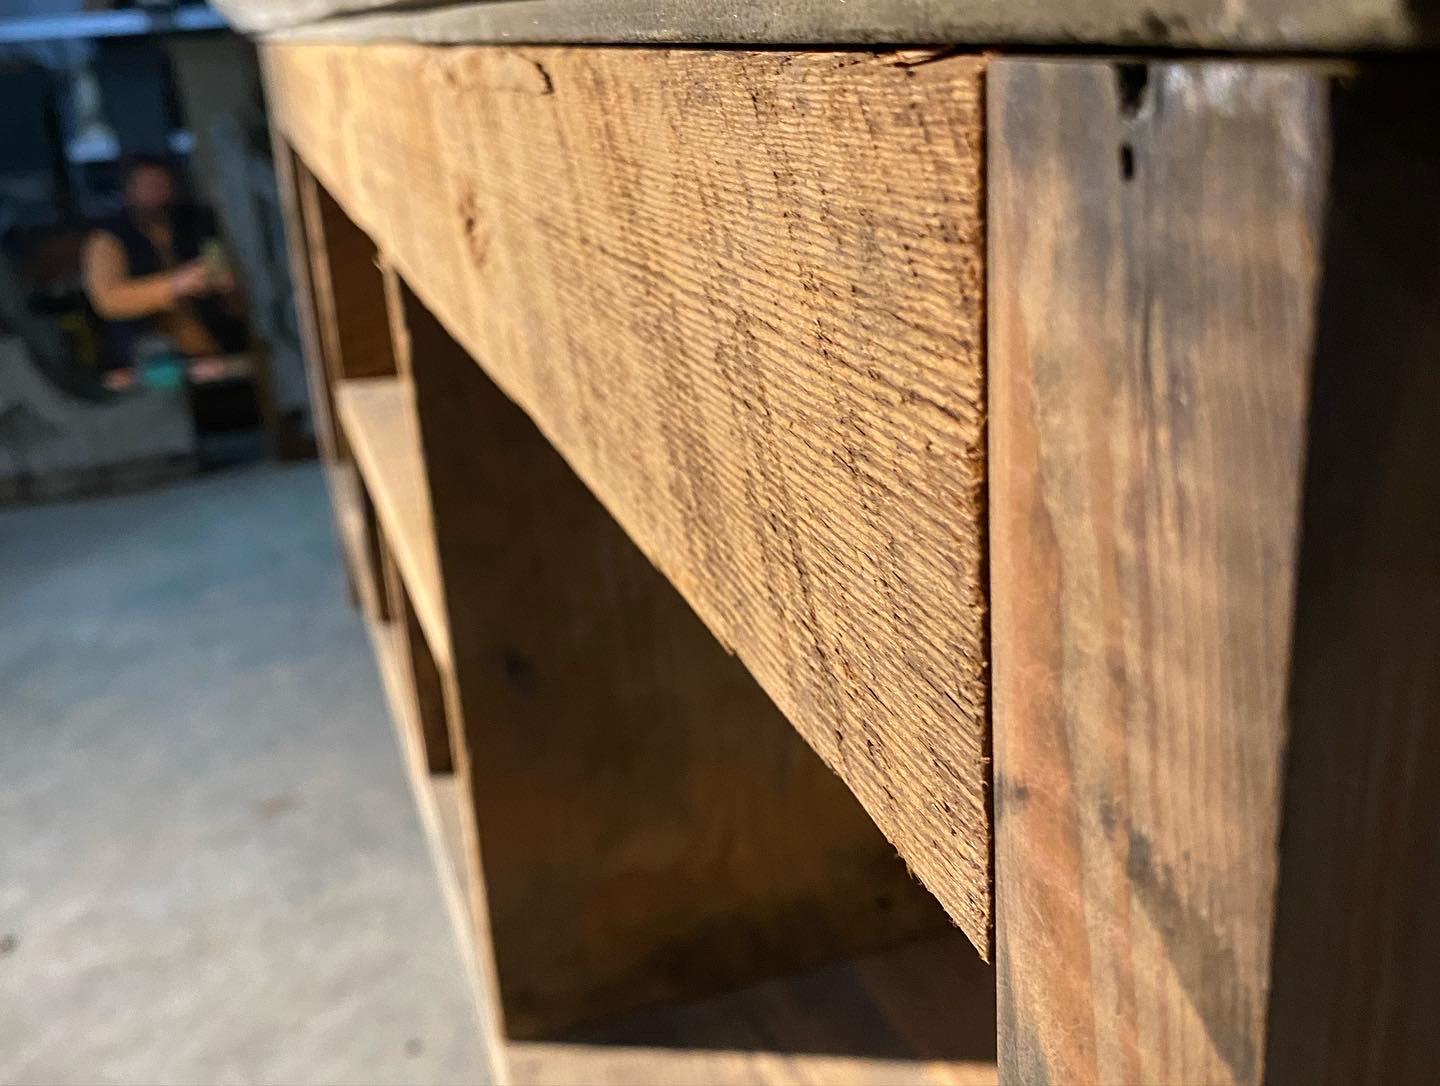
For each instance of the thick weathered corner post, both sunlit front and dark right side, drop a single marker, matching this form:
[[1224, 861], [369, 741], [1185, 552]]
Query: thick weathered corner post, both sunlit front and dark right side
[[1179, 668]]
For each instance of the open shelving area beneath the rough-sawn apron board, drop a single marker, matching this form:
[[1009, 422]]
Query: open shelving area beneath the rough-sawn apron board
[[653, 879]]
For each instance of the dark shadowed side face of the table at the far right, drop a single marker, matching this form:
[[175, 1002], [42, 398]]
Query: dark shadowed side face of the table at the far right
[[1356, 976]]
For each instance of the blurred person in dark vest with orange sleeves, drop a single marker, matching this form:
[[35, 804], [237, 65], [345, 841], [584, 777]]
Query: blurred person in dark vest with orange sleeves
[[155, 271]]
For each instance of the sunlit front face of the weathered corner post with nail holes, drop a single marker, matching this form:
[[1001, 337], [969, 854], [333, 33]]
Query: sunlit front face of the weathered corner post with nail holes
[[1154, 257]]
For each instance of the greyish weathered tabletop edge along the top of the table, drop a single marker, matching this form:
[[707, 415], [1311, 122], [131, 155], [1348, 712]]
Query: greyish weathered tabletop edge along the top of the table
[[1167, 24]]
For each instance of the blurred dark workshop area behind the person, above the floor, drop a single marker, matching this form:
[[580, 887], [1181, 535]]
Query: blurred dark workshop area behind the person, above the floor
[[89, 96]]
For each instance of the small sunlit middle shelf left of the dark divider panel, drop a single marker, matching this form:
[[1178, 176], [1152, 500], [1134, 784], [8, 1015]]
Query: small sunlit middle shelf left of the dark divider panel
[[378, 416]]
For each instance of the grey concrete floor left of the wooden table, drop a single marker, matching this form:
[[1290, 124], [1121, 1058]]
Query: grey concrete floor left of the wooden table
[[211, 868]]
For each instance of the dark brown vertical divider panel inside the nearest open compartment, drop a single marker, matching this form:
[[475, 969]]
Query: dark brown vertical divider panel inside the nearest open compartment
[[647, 825]]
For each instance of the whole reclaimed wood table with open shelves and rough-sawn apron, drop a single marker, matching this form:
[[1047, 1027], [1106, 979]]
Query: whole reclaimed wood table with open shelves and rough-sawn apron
[[768, 439]]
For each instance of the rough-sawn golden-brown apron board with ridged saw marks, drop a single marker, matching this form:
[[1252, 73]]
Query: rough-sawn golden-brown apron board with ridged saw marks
[[741, 293]]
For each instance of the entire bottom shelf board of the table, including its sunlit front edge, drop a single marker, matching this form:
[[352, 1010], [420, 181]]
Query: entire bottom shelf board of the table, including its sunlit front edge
[[918, 1016]]
